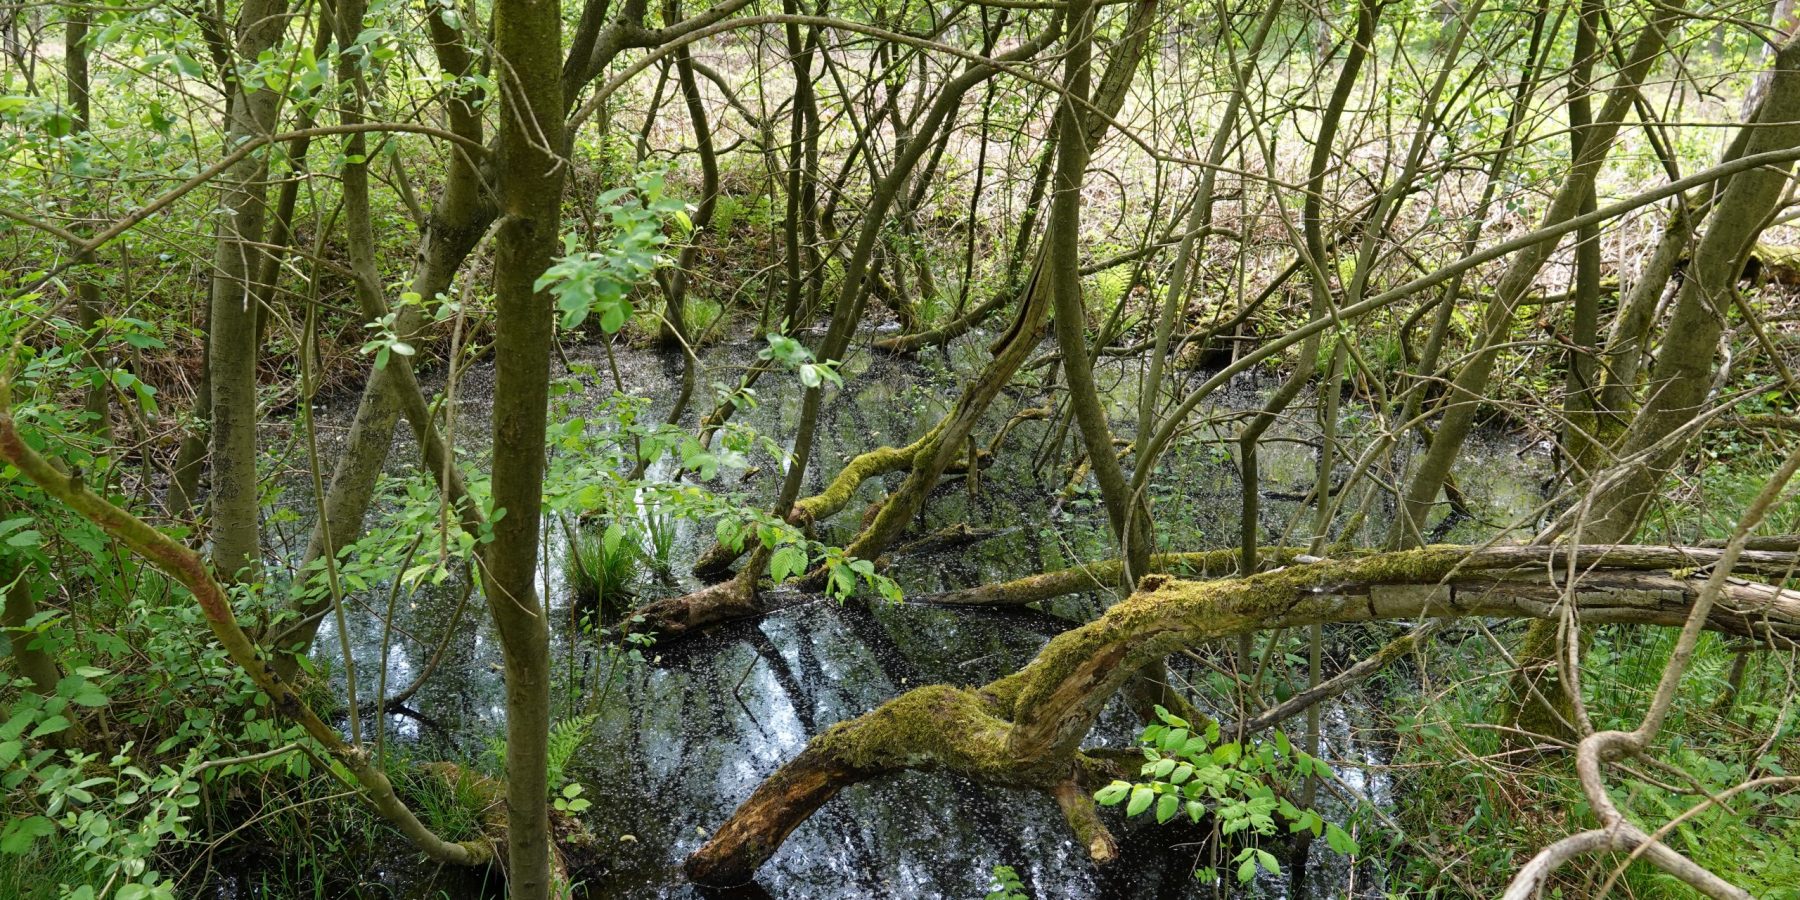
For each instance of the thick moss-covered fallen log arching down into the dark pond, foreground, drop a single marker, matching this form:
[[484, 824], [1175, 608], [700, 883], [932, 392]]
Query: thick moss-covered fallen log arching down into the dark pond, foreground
[[1025, 730]]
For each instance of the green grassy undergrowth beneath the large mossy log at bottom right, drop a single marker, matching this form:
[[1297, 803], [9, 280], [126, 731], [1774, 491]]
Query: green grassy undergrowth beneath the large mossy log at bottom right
[[1491, 807]]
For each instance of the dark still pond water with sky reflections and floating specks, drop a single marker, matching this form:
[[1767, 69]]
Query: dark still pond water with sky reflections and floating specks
[[685, 735]]
